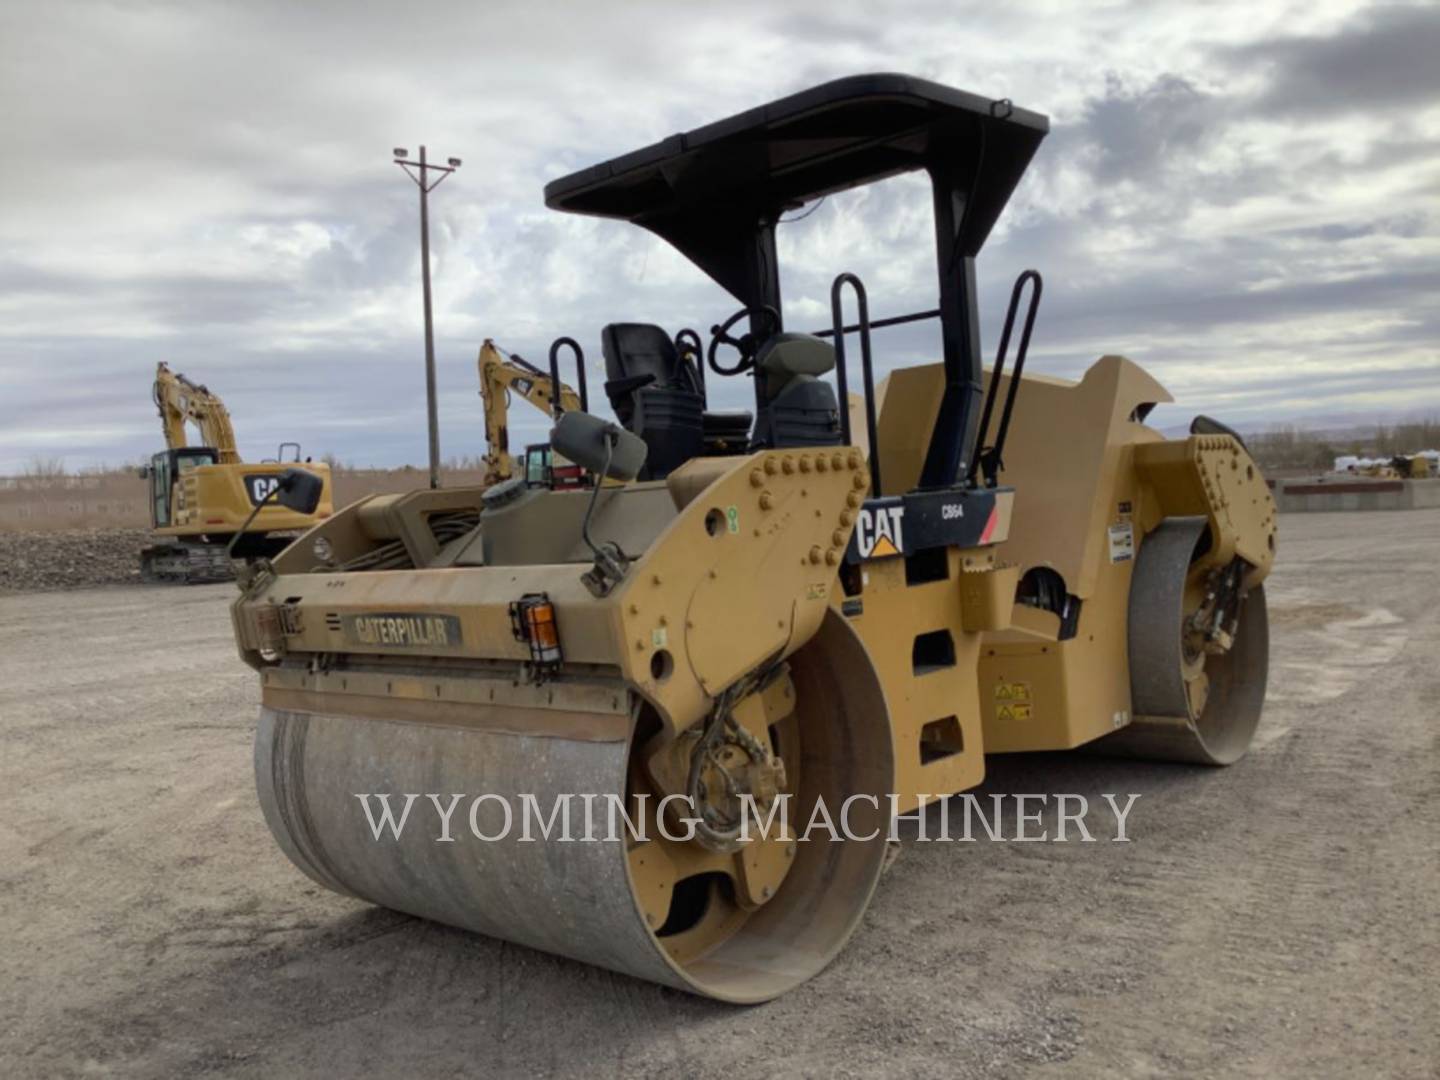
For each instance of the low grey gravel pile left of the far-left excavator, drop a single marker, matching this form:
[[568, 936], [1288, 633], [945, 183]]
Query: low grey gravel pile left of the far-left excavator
[[71, 559]]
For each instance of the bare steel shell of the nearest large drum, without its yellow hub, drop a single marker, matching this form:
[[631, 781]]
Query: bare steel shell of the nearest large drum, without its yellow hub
[[578, 899]]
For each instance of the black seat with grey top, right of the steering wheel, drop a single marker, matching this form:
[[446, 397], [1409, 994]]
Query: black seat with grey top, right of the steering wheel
[[801, 407]]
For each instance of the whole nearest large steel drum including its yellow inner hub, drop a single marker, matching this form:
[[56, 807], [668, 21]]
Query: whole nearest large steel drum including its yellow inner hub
[[739, 922]]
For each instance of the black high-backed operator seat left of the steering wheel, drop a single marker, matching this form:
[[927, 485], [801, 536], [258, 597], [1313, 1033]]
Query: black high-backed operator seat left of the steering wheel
[[654, 394]]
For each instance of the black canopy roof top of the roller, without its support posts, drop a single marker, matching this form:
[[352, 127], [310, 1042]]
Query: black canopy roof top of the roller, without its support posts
[[832, 138]]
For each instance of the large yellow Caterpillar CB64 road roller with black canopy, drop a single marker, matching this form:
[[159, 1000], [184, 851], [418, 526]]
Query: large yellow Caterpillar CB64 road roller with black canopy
[[814, 606]]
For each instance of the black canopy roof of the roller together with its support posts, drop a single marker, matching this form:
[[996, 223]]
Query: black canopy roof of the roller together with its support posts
[[718, 192]]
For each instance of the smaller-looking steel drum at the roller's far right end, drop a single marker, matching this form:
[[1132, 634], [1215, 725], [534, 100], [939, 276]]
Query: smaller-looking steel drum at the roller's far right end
[[1189, 706]]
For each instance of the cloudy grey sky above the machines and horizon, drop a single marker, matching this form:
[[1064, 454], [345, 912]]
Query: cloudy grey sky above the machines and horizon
[[1243, 198]]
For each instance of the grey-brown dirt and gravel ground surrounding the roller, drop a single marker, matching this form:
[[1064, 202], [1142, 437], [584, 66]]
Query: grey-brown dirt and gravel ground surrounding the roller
[[1281, 918]]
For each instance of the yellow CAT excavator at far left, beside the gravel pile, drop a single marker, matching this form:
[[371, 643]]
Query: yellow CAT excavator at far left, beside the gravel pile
[[202, 496]]
